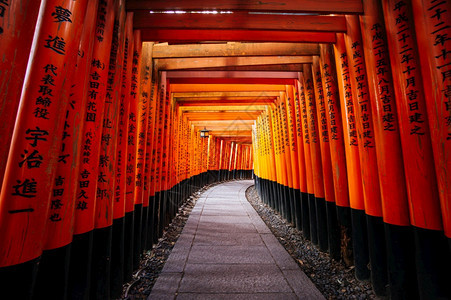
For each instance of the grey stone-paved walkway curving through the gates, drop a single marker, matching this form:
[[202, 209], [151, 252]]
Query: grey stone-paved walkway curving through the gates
[[226, 251]]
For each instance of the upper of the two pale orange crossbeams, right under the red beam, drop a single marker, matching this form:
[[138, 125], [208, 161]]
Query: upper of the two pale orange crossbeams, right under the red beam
[[234, 49]]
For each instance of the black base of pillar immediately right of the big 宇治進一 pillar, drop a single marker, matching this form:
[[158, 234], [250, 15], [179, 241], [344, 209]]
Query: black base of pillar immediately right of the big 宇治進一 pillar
[[53, 273]]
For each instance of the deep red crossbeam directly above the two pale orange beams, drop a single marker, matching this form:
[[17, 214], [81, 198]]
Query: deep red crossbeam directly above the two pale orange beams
[[199, 35]]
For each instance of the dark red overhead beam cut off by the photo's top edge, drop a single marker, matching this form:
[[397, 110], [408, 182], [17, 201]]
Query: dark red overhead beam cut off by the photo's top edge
[[305, 6]]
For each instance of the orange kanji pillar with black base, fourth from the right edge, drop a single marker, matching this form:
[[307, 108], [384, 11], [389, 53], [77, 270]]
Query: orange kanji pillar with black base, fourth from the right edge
[[367, 154]]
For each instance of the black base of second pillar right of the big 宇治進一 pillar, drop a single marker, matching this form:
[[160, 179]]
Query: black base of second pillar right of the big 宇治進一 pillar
[[80, 260]]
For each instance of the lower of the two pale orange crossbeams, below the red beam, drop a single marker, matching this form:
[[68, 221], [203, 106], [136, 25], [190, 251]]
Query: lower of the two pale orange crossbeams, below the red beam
[[192, 63]]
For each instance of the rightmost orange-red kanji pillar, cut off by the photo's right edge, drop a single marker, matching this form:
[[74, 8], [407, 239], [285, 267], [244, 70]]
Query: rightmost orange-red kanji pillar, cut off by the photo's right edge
[[433, 28]]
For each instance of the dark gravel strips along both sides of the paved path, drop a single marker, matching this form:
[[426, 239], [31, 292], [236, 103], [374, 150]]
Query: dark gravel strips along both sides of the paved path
[[332, 278]]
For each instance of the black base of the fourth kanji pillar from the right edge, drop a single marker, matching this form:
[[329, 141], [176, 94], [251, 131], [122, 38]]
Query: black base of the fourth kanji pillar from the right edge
[[378, 254]]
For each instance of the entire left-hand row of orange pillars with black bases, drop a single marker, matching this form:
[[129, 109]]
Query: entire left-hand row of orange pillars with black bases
[[96, 159]]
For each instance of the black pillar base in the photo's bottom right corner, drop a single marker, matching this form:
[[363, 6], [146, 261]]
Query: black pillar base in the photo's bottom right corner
[[433, 260]]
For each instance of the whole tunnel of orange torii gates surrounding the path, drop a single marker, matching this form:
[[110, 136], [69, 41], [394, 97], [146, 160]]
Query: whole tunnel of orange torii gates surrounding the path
[[339, 110]]
